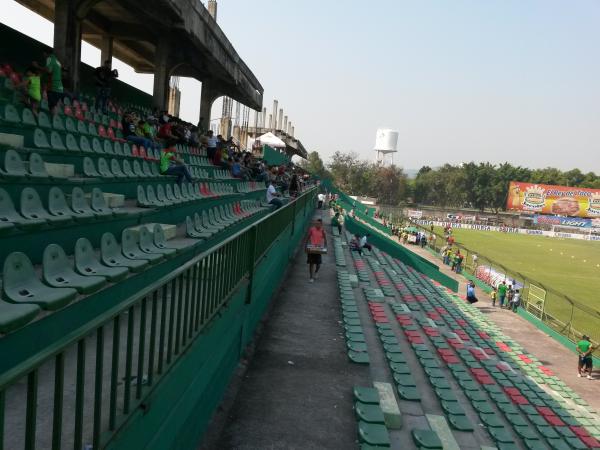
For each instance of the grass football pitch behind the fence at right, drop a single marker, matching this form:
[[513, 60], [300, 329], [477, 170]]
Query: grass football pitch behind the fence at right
[[570, 266]]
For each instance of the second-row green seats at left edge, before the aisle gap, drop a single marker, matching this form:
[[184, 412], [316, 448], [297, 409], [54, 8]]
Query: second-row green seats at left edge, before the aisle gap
[[32, 213]]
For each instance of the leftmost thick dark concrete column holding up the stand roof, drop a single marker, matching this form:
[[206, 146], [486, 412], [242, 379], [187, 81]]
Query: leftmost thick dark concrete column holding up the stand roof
[[67, 40]]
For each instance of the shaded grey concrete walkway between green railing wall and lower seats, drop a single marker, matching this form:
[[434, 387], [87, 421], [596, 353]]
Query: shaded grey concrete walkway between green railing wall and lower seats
[[297, 391]]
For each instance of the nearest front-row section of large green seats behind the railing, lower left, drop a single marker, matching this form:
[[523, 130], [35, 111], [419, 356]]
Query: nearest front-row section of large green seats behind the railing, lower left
[[63, 280]]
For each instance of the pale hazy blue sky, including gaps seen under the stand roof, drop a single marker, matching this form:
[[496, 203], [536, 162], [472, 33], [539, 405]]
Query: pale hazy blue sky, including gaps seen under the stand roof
[[460, 80]]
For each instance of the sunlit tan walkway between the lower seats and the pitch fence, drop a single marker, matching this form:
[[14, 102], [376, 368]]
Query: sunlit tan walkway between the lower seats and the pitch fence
[[552, 354]]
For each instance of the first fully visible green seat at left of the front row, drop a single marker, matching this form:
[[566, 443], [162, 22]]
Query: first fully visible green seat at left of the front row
[[21, 285]]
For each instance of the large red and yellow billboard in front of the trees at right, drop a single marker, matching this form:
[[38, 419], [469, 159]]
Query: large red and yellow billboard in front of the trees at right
[[556, 200]]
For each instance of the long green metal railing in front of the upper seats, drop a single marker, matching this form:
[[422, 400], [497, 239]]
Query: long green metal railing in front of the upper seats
[[85, 390]]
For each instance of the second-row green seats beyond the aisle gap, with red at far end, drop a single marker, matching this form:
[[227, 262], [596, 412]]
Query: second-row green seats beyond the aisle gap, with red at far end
[[175, 194]]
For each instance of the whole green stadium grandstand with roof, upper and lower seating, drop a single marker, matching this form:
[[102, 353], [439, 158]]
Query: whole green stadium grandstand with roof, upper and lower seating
[[133, 299]]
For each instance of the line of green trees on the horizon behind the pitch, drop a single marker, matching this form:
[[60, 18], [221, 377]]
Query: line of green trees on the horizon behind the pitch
[[469, 185]]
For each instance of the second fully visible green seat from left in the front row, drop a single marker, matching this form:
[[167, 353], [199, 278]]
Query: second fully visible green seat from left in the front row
[[57, 272]]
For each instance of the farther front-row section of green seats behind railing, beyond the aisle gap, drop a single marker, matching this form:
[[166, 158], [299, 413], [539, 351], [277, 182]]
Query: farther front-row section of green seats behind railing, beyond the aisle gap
[[208, 223]]
